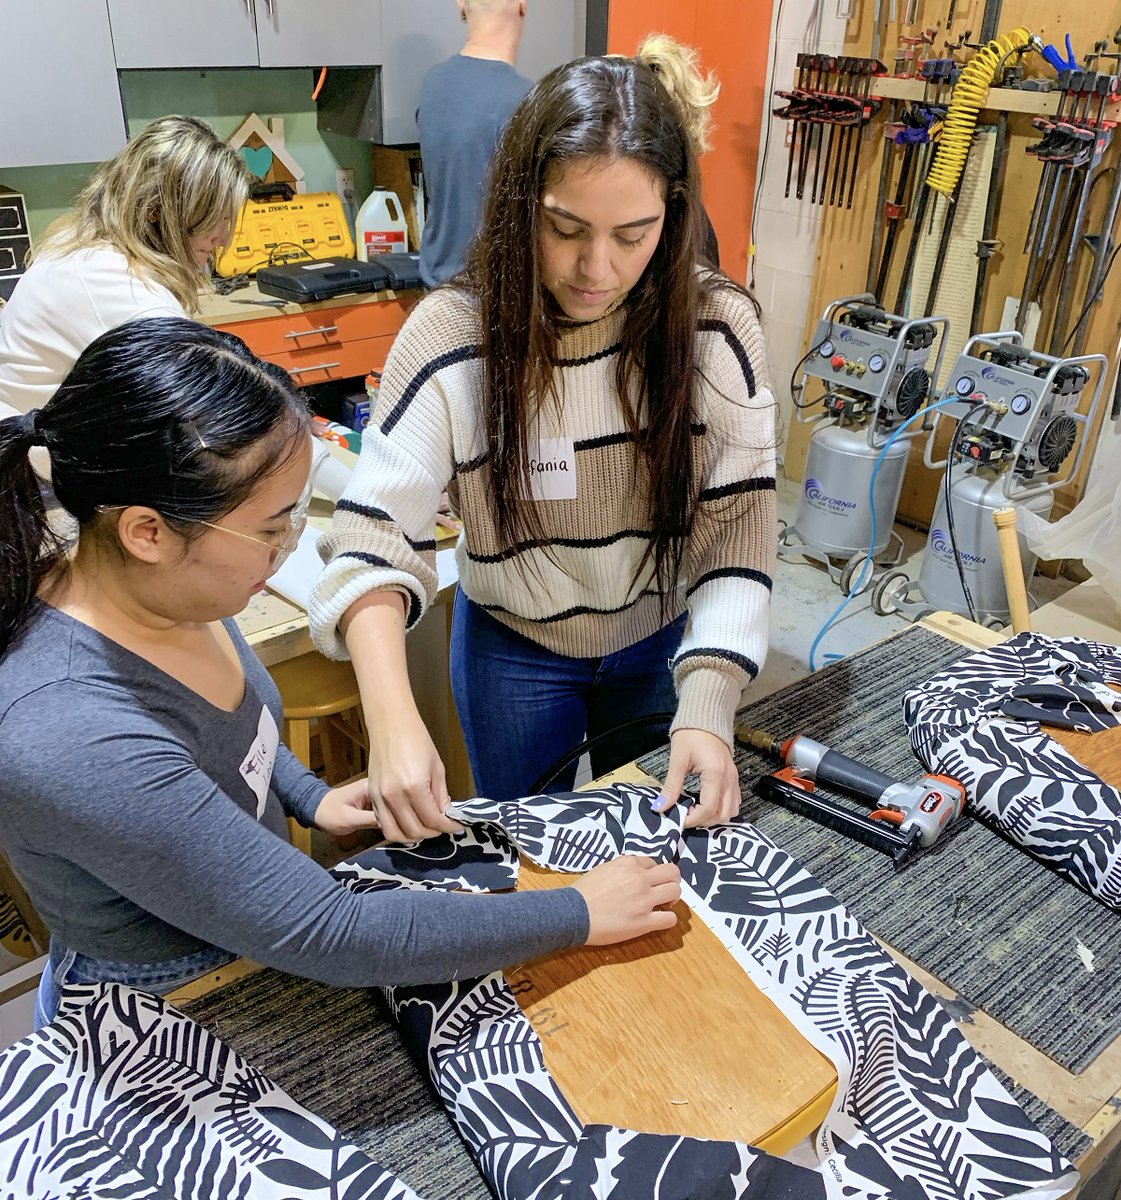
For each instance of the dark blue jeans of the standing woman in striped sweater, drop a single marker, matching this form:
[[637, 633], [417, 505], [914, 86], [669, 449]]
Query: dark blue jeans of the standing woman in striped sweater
[[523, 707]]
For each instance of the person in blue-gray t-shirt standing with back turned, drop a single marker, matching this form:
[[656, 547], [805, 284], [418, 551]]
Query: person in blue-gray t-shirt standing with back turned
[[464, 105]]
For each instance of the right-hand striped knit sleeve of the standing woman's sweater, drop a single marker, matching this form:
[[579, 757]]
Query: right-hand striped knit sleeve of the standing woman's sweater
[[732, 550]]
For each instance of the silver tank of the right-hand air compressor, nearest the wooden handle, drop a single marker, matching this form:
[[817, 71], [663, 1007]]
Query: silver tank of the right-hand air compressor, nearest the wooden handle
[[975, 500]]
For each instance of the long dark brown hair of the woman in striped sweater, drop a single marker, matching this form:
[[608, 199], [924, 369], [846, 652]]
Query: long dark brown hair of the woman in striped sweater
[[610, 109]]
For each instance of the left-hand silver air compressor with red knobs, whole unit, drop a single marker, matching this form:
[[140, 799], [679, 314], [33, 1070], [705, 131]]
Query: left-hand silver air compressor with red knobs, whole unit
[[874, 369]]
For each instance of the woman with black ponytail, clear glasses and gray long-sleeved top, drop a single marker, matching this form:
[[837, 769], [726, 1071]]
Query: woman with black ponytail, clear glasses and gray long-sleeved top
[[145, 790]]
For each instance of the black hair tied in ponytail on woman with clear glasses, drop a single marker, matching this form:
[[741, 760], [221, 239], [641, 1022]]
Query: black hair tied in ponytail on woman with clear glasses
[[164, 413]]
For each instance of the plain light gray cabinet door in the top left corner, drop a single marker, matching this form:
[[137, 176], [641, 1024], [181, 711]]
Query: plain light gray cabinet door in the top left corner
[[62, 99]]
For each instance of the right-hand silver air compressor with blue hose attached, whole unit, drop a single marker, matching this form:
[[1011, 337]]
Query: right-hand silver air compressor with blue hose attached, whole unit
[[1018, 417]]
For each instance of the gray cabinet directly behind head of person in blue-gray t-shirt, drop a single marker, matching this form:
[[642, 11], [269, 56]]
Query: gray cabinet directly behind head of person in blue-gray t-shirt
[[418, 34]]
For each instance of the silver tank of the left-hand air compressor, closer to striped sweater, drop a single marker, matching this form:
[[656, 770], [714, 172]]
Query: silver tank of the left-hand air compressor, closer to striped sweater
[[834, 513]]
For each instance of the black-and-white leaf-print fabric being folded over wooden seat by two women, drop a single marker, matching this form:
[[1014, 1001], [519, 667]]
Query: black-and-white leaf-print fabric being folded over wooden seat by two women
[[918, 1117]]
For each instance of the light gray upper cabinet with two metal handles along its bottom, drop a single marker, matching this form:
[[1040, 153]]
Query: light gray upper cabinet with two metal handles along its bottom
[[247, 33]]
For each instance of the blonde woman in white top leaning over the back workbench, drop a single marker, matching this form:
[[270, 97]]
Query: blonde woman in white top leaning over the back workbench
[[136, 244]]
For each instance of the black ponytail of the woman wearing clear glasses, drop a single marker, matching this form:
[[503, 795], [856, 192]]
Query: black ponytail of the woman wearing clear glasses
[[29, 548]]
